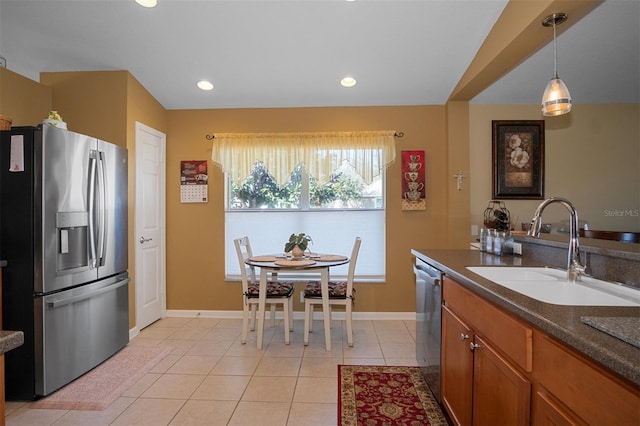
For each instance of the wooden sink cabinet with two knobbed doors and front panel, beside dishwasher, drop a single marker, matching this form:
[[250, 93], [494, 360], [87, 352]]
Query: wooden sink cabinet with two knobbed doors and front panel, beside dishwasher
[[481, 384]]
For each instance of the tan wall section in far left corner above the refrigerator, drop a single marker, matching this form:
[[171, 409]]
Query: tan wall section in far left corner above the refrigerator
[[27, 102]]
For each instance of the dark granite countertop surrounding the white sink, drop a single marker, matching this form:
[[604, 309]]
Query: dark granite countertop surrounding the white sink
[[561, 322]]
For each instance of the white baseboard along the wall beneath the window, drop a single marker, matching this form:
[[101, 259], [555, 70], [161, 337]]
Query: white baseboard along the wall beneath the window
[[298, 315]]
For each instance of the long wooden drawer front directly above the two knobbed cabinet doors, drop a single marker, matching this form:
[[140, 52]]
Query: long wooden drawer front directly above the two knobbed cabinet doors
[[512, 336]]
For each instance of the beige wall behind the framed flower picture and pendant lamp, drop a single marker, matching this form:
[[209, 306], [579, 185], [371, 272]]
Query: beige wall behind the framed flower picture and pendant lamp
[[592, 159]]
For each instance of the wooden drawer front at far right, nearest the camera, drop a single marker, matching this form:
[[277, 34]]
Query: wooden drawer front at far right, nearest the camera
[[585, 388]]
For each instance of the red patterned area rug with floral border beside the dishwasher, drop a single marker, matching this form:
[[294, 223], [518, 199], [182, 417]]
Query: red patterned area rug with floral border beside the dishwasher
[[381, 395]]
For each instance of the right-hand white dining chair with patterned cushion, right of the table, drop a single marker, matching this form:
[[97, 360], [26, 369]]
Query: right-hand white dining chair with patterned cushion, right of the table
[[340, 293]]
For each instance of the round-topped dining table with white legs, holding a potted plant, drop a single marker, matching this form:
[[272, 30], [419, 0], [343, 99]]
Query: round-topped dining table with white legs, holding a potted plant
[[309, 264]]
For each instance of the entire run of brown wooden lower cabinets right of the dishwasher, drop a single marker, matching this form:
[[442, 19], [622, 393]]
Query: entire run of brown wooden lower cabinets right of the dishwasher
[[497, 370]]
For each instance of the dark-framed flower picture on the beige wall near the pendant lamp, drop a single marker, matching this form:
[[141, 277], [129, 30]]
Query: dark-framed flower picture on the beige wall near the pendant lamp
[[518, 159]]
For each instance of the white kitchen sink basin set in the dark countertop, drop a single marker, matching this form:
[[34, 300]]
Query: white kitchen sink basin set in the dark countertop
[[550, 285]]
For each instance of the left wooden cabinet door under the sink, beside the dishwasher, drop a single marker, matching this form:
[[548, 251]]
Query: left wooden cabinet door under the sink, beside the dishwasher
[[457, 368]]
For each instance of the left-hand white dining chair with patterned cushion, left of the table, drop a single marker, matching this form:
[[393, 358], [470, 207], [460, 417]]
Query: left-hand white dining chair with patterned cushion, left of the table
[[278, 292]]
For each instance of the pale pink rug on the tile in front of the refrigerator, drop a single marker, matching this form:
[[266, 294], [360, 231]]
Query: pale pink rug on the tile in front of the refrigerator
[[97, 389]]
